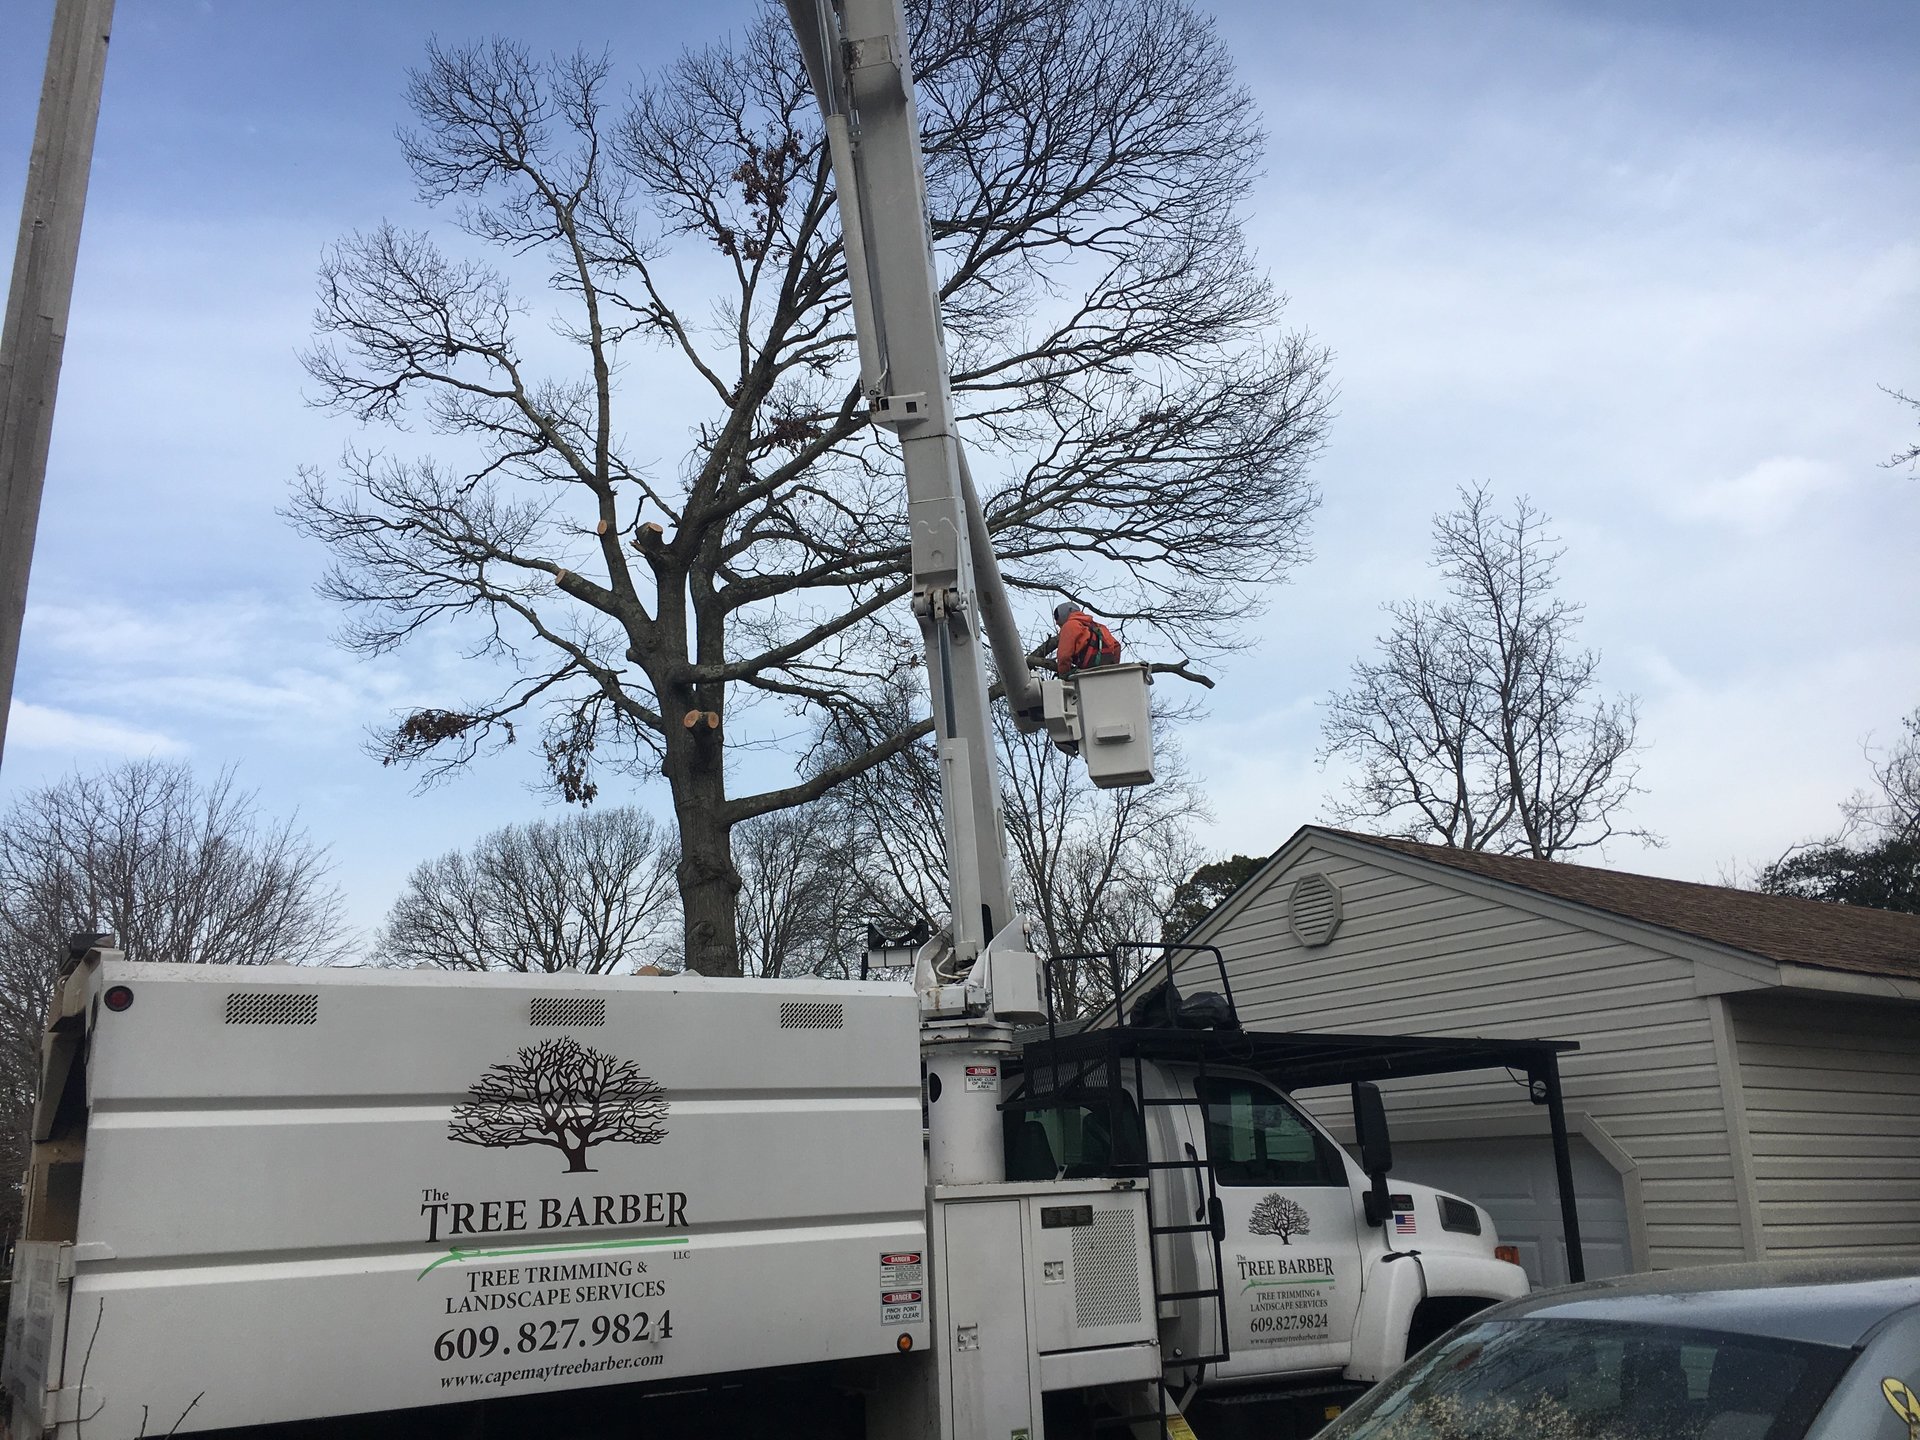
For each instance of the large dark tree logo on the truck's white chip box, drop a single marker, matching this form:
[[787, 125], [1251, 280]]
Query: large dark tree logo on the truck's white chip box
[[565, 1095]]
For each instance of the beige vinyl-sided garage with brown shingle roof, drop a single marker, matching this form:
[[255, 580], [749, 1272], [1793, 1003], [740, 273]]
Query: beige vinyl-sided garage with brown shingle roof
[[1748, 1080]]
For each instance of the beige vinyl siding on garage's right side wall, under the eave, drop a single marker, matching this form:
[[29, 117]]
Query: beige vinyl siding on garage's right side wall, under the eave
[[1833, 1095]]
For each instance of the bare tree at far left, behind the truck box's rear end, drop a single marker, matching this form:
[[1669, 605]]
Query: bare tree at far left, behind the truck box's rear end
[[180, 873]]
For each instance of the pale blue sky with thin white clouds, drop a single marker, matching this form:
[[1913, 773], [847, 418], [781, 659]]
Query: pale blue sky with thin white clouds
[[1646, 264]]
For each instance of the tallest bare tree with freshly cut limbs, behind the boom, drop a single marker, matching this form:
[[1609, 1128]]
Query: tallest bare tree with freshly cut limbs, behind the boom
[[1140, 427]]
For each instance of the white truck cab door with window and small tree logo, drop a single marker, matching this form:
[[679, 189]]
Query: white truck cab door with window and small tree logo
[[1291, 1255]]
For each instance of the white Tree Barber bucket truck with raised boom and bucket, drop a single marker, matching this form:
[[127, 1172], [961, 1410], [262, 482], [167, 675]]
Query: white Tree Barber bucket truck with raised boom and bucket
[[364, 1203]]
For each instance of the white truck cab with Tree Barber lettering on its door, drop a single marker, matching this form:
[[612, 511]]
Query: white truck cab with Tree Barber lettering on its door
[[1280, 1262]]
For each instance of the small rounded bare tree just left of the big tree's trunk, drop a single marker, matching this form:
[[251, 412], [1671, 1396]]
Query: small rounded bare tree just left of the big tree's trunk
[[590, 892]]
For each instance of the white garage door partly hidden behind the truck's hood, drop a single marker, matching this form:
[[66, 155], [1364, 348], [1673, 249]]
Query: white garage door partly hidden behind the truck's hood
[[1514, 1182]]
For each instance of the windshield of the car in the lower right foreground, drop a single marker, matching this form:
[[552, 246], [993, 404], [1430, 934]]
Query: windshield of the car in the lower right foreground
[[1598, 1381]]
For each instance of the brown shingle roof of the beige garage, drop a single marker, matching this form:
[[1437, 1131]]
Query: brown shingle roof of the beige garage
[[1771, 926]]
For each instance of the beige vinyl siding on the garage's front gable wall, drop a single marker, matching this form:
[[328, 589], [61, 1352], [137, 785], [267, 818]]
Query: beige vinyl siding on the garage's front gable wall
[[1422, 955]]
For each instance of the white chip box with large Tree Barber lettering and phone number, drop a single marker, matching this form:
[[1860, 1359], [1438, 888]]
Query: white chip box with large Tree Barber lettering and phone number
[[272, 1193]]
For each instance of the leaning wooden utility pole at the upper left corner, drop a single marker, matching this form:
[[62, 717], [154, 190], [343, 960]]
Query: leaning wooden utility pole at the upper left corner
[[41, 295]]
